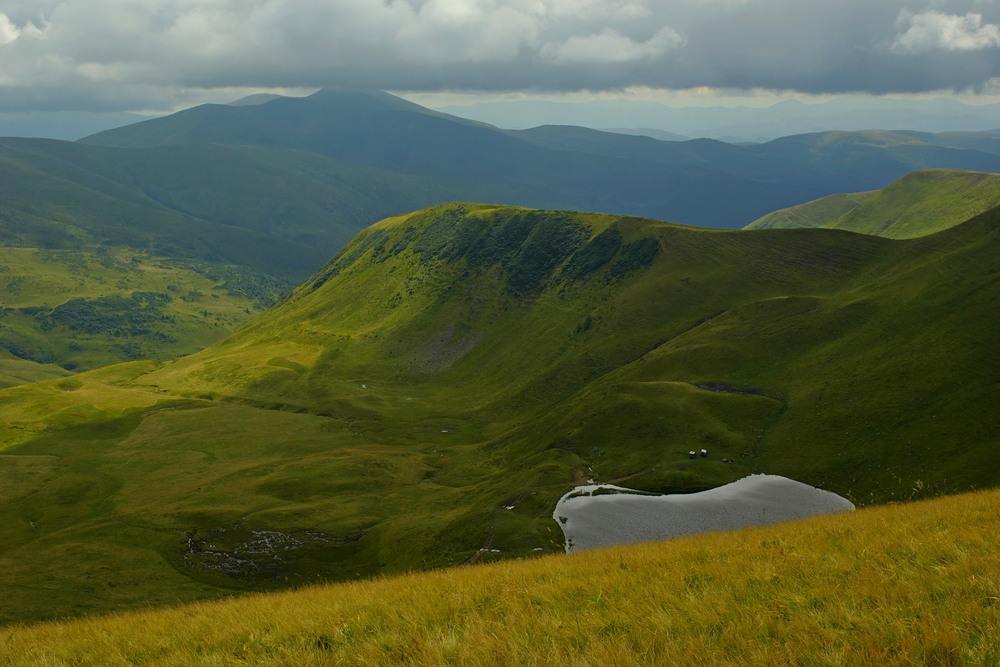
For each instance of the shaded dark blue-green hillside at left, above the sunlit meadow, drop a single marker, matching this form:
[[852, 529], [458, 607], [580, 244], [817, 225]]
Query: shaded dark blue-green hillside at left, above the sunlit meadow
[[276, 211]]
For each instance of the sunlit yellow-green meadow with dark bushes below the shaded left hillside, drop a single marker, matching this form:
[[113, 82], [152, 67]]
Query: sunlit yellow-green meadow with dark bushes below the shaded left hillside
[[86, 308]]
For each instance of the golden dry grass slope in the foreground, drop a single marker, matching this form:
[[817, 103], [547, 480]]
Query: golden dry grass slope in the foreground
[[905, 584]]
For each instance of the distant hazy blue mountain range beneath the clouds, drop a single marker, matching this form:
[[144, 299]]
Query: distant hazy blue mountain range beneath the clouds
[[702, 182]]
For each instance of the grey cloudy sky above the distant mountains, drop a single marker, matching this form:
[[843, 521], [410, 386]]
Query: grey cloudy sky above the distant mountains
[[161, 54]]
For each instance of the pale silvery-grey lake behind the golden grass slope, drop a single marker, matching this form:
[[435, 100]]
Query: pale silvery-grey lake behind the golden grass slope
[[617, 515]]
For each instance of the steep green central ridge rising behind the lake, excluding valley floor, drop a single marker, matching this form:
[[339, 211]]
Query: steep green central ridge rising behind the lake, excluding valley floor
[[799, 317]]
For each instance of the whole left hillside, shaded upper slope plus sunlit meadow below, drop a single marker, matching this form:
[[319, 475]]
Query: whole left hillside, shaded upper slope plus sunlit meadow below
[[200, 235]]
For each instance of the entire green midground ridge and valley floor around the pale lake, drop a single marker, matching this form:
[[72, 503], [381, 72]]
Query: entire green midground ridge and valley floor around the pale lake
[[463, 359]]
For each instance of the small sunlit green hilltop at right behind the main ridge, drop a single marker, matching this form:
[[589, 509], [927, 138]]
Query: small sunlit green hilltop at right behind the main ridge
[[918, 204]]
